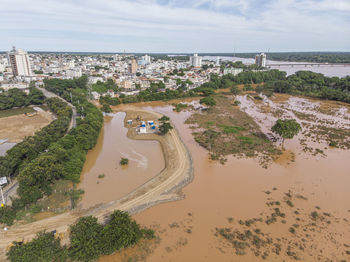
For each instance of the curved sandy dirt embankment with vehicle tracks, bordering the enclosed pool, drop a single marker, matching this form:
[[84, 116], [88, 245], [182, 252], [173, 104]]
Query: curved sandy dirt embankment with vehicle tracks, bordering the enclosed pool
[[163, 187]]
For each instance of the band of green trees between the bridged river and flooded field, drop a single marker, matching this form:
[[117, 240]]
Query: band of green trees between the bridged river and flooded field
[[301, 83]]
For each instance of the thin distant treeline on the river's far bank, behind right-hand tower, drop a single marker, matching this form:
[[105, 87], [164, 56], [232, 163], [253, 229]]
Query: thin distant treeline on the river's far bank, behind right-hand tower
[[316, 57]]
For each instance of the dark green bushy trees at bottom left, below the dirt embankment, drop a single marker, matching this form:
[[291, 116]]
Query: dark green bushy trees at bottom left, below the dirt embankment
[[88, 240]]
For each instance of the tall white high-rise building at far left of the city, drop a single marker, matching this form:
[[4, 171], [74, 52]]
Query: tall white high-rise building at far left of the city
[[20, 63]]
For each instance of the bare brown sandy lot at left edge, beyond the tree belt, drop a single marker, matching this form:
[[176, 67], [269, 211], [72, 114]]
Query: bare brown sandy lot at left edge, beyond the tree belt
[[15, 128]]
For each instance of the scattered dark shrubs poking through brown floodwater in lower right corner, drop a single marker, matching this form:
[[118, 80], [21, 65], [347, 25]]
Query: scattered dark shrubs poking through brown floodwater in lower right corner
[[298, 227]]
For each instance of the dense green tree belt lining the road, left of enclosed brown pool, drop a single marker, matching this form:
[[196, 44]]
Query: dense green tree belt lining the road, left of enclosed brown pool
[[50, 155]]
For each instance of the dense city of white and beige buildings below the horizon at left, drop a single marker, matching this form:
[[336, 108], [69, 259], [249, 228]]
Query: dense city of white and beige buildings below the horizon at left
[[131, 73]]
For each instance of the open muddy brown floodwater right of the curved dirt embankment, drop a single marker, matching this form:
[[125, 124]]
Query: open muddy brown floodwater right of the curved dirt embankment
[[238, 190]]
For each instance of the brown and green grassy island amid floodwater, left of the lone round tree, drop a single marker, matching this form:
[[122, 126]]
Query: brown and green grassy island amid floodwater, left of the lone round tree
[[224, 129]]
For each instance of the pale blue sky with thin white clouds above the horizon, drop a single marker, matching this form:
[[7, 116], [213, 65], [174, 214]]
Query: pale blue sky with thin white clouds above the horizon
[[175, 25]]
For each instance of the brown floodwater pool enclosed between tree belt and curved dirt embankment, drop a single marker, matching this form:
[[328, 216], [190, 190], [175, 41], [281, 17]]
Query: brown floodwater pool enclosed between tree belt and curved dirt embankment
[[145, 161]]
